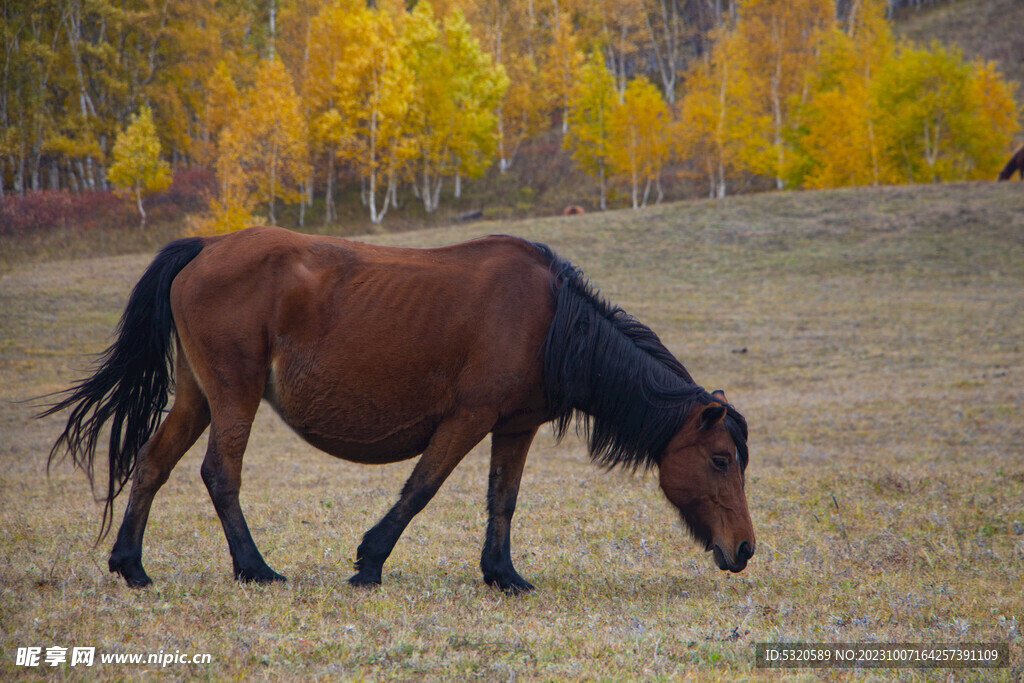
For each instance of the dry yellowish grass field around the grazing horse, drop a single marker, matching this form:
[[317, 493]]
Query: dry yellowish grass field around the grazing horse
[[883, 379]]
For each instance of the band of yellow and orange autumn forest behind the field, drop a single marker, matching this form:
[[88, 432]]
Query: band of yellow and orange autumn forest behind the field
[[334, 114]]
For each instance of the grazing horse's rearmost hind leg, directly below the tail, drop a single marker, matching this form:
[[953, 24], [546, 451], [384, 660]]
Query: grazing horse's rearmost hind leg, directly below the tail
[[186, 422]]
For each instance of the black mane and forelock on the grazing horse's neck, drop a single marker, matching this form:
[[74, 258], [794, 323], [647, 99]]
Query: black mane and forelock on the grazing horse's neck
[[613, 376]]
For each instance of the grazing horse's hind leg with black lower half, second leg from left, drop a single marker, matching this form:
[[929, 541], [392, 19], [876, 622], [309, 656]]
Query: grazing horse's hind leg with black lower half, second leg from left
[[223, 474]]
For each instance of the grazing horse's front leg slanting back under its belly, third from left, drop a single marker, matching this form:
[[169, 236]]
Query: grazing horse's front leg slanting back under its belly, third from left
[[450, 444]]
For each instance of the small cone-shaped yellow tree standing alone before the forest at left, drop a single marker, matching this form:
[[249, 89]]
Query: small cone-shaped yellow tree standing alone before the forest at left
[[138, 166]]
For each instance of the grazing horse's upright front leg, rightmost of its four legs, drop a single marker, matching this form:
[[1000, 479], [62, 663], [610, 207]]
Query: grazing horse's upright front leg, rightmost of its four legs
[[508, 455]]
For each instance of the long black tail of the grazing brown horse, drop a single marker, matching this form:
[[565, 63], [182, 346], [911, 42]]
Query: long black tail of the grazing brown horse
[[132, 385]]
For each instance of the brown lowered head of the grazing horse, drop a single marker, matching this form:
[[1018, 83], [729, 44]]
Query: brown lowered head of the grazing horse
[[702, 474]]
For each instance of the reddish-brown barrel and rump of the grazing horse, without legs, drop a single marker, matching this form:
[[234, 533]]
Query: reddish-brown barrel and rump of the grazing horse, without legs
[[362, 349]]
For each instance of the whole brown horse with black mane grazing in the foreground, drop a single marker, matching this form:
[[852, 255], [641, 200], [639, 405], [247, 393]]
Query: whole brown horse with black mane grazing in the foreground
[[377, 355]]
